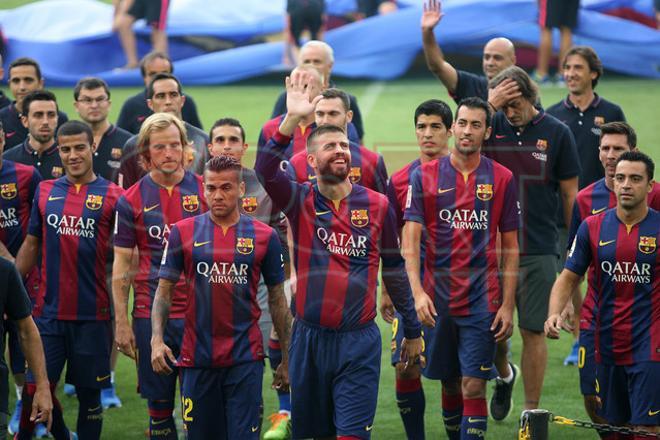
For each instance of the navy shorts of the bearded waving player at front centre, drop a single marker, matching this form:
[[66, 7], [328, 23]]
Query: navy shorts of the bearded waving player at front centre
[[334, 380]]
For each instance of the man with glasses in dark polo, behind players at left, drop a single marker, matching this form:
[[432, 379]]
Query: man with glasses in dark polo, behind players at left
[[92, 102]]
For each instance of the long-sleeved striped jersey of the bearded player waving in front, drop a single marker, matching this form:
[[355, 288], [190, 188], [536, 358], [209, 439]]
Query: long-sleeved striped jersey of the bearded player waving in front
[[338, 246]]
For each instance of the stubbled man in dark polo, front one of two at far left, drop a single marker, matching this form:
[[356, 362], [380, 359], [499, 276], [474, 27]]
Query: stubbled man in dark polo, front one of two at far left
[[39, 148]]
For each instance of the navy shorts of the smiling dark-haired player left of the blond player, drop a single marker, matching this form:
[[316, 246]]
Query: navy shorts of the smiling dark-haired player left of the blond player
[[83, 345]]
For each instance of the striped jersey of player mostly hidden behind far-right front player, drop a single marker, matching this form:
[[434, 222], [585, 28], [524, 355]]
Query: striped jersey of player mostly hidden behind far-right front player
[[593, 200]]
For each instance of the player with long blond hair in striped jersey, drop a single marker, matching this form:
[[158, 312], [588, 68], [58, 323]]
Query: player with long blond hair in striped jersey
[[145, 214]]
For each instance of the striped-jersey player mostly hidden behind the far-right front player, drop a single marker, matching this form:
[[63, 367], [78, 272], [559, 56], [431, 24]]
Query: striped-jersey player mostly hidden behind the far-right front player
[[616, 138]]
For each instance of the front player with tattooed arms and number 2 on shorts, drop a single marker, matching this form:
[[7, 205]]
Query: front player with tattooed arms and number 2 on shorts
[[223, 255]]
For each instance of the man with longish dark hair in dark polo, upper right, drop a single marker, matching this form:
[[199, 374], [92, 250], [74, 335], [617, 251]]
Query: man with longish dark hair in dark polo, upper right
[[584, 112]]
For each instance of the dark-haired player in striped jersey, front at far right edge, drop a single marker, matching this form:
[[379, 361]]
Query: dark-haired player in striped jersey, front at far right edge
[[619, 248]]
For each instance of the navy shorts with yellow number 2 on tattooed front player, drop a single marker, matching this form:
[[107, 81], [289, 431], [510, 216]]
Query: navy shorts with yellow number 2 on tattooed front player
[[222, 403]]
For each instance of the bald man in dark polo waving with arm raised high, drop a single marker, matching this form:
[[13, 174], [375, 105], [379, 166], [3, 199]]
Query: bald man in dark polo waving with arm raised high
[[499, 53]]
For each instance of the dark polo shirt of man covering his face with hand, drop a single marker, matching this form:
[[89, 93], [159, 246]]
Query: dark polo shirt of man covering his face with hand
[[539, 157]]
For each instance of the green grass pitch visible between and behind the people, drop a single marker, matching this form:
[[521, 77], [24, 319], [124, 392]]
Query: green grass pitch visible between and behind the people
[[387, 111]]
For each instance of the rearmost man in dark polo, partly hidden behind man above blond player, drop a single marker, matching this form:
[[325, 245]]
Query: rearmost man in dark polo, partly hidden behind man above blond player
[[135, 109]]
